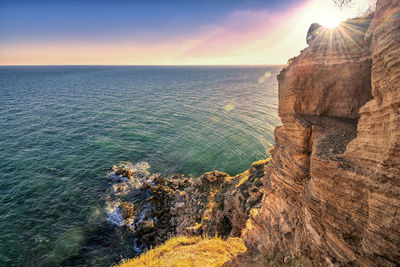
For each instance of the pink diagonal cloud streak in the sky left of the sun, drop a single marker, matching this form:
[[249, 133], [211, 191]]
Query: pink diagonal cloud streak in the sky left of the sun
[[241, 31]]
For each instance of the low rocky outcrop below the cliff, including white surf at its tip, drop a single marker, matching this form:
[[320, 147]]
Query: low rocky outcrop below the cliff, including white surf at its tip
[[212, 204]]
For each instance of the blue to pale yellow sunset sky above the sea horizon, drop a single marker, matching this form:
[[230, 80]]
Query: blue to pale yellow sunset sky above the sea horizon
[[160, 32]]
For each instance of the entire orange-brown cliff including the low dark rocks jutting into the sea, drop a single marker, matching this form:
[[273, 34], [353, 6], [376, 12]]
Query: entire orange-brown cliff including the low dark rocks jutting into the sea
[[330, 194]]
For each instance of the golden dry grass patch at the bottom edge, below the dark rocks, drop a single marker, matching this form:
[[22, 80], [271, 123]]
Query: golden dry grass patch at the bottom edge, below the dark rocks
[[190, 251]]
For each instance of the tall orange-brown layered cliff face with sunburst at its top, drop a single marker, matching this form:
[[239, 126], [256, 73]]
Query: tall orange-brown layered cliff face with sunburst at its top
[[332, 188]]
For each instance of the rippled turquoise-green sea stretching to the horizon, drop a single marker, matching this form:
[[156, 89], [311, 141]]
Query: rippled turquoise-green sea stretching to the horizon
[[63, 127]]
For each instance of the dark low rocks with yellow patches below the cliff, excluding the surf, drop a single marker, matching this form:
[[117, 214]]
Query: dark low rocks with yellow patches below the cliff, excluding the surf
[[213, 204]]
